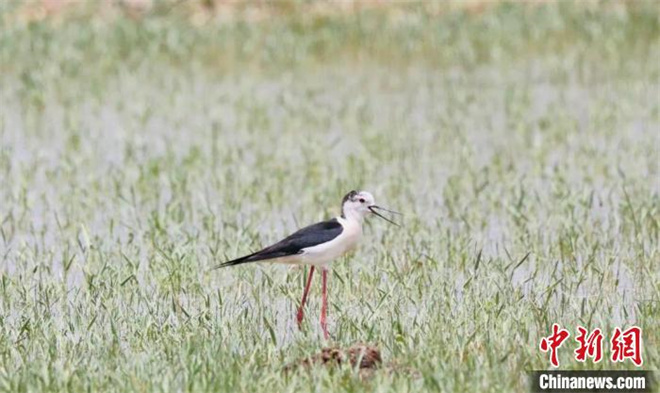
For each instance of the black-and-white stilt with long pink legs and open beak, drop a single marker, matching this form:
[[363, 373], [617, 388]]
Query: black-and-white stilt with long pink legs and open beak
[[319, 244]]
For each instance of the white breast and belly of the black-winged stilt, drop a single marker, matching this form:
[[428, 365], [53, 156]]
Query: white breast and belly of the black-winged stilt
[[327, 252]]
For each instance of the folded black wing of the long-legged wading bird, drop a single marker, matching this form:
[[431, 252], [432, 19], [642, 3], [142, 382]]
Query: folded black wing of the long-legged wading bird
[[293, 244]]
